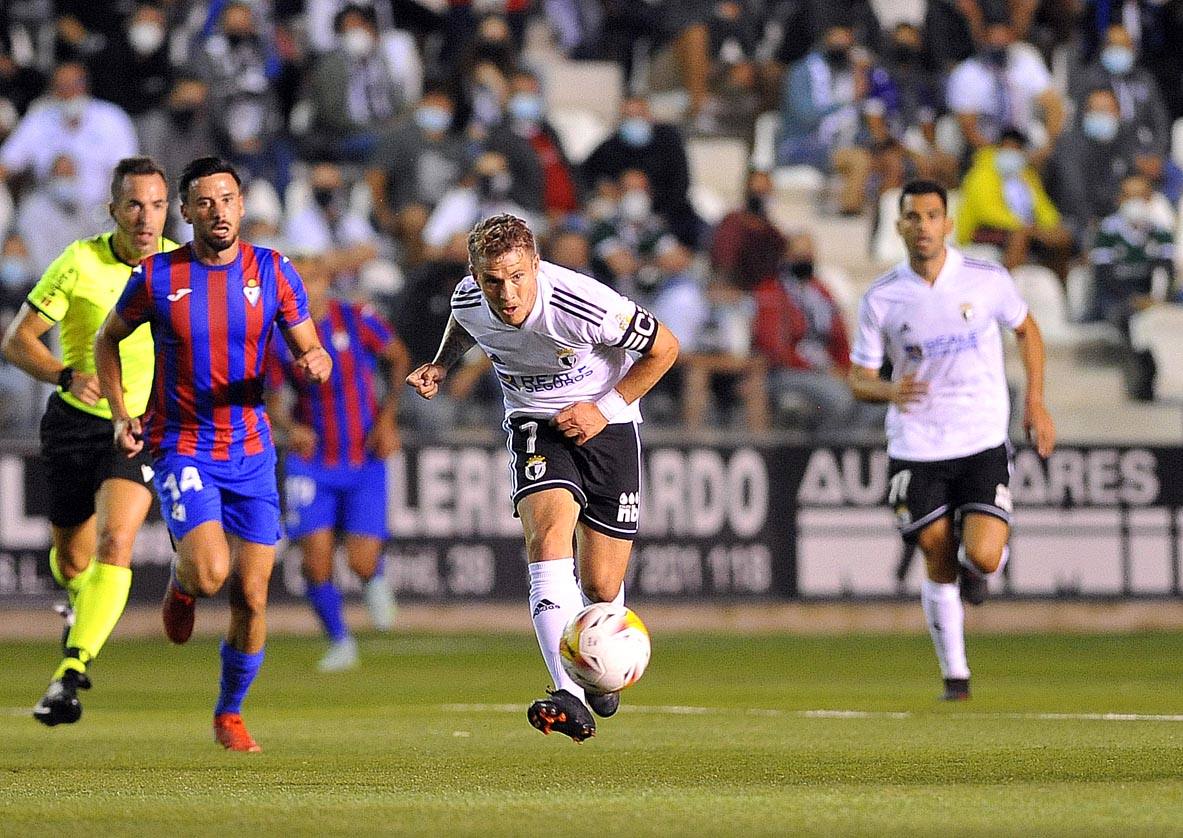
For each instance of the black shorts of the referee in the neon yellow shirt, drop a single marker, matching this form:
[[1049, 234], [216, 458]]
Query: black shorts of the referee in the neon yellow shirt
[[77, 455]]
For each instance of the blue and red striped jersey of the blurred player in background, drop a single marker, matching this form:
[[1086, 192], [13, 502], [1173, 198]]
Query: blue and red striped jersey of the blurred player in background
[[344, 409]]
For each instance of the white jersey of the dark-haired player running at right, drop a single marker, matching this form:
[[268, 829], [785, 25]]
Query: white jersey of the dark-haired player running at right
[[948, 336]]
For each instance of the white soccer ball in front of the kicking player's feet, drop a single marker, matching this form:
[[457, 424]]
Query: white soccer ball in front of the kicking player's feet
[[605, 648]]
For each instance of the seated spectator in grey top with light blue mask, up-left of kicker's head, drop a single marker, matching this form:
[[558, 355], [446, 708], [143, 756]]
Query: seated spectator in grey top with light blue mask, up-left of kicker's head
[[413, 167]]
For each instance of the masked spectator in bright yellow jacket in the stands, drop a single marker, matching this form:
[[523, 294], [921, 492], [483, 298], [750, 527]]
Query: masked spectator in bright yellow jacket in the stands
[[1005, 205]]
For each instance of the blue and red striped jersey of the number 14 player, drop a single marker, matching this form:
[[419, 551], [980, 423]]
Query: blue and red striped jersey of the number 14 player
[[211, 325]]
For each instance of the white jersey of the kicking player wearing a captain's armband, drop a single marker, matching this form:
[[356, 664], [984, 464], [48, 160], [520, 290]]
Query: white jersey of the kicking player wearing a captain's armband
[[573, 346]]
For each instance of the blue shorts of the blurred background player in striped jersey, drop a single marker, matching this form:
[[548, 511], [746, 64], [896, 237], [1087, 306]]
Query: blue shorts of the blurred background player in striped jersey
[[344, 498]]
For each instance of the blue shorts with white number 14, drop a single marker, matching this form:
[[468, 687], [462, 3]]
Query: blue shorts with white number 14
[[241, 494]]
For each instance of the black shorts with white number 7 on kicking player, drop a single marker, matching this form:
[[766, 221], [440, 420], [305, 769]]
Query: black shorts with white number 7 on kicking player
[[604, 474]]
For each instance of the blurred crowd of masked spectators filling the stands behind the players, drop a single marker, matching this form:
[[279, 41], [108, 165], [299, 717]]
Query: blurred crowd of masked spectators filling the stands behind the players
[[376, 136]]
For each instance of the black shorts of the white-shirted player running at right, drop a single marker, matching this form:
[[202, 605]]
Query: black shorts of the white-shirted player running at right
[[920, 493]]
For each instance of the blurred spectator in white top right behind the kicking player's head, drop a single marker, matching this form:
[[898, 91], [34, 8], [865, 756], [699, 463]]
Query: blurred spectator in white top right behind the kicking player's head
[[486, 191]]
